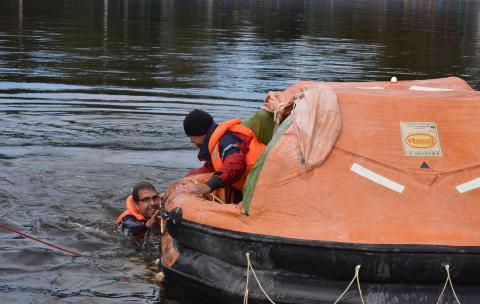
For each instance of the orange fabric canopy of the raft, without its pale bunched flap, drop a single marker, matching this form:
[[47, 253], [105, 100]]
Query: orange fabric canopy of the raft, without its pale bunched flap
[[405, 169]]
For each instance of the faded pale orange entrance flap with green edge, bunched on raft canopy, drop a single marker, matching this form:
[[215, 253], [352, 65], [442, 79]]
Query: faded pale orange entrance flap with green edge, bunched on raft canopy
[[314, 114]]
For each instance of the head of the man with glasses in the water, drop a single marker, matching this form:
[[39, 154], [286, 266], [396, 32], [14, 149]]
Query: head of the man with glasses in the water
[[146, 199]]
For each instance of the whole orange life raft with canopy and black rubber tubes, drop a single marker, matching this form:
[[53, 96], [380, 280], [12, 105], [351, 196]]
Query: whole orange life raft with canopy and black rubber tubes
[[381, 175]]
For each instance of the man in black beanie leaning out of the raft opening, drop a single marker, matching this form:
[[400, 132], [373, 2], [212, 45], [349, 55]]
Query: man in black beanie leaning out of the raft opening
[[228, 149]]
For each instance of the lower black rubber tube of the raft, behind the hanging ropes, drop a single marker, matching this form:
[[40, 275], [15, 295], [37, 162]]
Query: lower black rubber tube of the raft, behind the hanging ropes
[[206, 277]]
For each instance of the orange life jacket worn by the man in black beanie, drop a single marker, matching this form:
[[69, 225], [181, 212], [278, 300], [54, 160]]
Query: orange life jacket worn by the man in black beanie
[[255, 148]]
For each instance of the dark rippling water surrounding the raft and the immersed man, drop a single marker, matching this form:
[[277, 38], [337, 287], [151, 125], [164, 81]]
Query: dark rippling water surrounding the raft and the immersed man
[[93, 93]]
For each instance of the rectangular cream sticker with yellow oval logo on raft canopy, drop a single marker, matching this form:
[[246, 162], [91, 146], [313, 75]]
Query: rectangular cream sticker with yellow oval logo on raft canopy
[[420, 138]]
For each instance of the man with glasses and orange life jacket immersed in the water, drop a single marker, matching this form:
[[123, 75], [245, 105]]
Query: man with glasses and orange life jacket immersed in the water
[[143, 210]]
